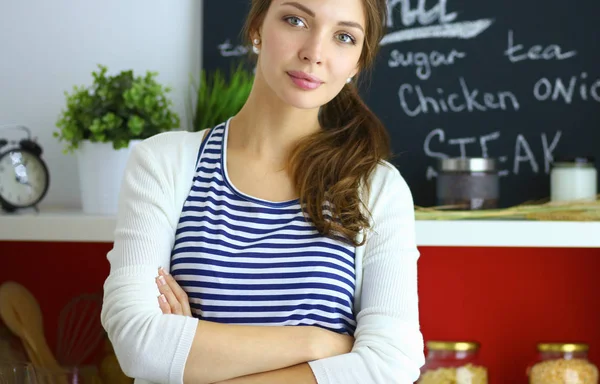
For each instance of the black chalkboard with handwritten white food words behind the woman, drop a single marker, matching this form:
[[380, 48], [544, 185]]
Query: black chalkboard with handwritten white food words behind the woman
[[517, 80]]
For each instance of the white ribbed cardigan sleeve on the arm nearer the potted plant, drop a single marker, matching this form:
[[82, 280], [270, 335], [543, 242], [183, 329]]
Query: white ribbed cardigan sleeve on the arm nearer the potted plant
[[149, 345]]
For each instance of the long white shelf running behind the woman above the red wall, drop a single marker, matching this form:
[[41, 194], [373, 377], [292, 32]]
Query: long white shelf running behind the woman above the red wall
[[74, 226]]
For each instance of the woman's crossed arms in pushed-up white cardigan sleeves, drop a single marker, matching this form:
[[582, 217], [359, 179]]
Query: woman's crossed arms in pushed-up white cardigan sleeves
[[158, 347]]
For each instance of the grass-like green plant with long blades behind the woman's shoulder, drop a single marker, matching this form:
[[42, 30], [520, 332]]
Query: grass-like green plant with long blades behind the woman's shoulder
[[219, 98]]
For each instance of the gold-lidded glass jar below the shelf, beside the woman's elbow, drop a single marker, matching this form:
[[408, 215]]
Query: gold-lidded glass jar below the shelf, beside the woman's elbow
[[453, 362]]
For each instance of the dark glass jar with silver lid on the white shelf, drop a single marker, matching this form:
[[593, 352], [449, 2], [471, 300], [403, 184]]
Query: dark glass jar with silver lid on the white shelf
[[467, 184]]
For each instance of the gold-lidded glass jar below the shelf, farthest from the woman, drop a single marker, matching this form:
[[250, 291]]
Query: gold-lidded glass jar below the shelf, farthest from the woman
[[562, 363]]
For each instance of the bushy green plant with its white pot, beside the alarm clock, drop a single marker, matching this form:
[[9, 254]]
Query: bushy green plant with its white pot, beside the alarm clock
[[100, 125]]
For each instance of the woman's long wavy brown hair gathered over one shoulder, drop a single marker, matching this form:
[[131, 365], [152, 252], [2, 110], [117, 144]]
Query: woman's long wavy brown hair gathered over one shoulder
[[328, 167]]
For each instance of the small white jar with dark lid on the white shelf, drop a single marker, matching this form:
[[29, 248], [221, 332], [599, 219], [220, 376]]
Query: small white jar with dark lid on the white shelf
[[573, 178]]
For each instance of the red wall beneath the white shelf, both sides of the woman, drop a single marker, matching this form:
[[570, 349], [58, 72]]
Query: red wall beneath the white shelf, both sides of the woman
[[506, 298]]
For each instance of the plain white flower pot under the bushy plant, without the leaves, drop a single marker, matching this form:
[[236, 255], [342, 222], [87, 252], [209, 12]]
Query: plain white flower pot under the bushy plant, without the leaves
[[101, 169]]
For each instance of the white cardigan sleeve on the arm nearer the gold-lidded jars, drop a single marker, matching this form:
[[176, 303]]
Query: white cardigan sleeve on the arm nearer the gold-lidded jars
[[388, 344]]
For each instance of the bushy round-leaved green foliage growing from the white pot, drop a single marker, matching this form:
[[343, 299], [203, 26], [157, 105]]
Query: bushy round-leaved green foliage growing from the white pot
[[115, 109]]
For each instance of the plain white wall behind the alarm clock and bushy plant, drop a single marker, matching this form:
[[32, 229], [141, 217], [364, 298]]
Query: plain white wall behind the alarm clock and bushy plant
[[46, 47]]
